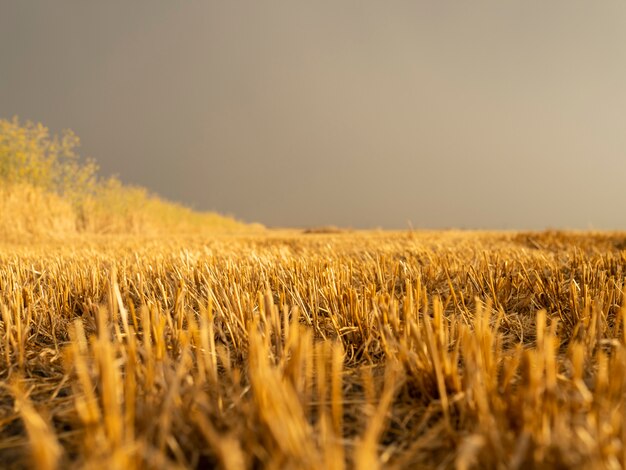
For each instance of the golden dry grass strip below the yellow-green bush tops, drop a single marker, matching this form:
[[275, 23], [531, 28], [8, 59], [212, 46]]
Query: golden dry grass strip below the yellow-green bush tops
[[31, 214]]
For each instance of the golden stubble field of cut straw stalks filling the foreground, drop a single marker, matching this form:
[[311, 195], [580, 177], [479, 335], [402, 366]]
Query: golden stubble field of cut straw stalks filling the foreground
[[322, 350]]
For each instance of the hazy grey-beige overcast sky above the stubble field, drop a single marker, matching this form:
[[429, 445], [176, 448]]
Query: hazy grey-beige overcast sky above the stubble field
[[482, 114]]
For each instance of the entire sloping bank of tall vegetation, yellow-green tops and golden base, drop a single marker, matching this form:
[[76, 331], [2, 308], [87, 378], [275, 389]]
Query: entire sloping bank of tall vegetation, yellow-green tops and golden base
[[47, 189]]
